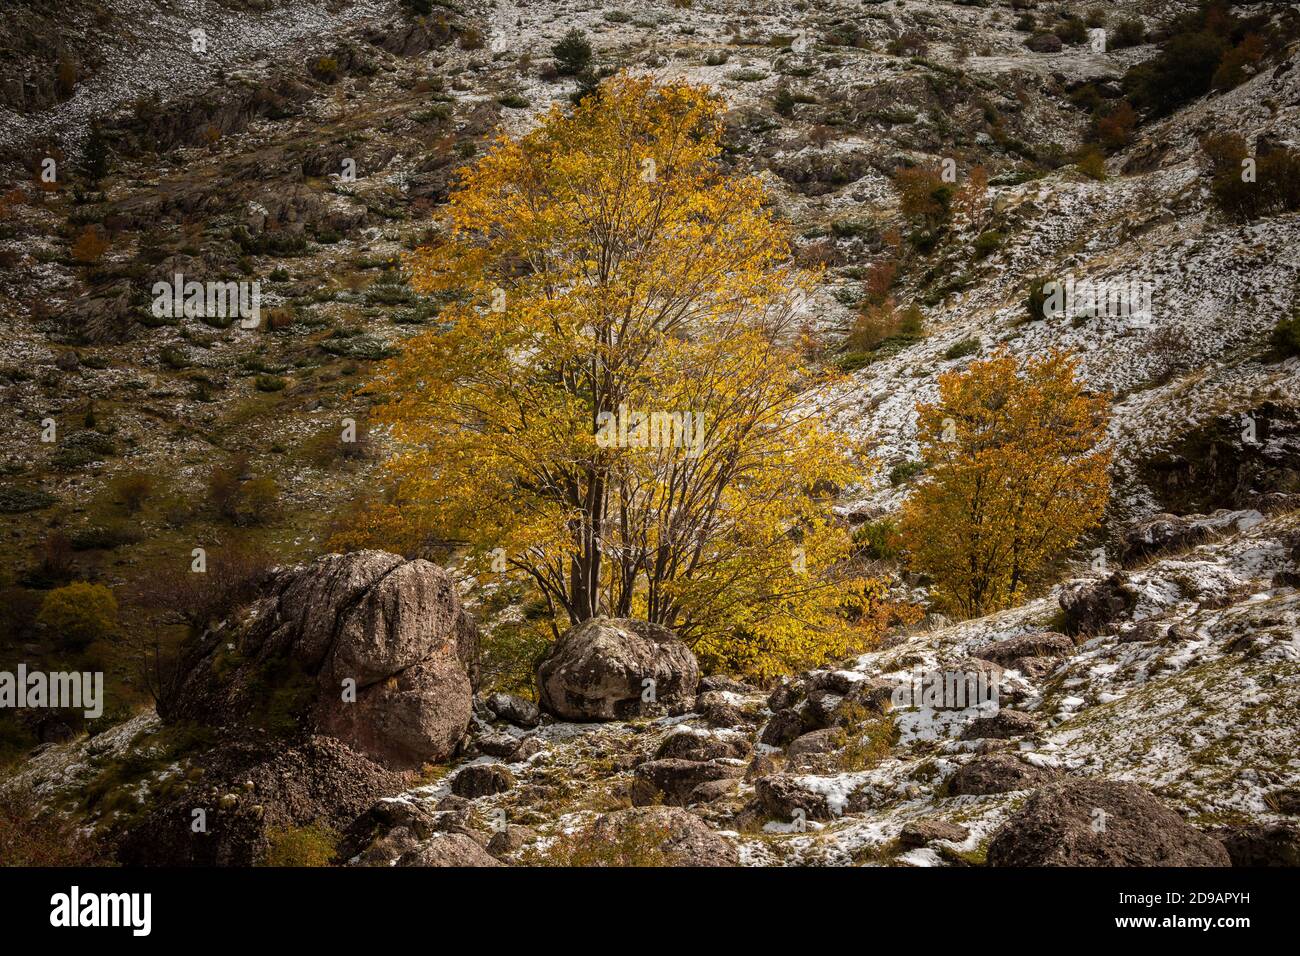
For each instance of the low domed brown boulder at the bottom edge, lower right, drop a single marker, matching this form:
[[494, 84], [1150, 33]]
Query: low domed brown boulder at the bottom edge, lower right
[[1100, 824]]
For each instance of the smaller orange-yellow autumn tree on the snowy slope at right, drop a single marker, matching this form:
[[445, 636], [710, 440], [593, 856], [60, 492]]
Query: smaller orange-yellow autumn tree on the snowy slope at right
[[1015, 477]]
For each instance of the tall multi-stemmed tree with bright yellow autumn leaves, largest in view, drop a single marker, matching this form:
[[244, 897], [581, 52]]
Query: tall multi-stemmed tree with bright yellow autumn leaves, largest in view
[[609, 409]]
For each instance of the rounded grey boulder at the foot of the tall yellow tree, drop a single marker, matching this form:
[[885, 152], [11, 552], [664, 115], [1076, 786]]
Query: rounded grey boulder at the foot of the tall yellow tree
[[612, 669]]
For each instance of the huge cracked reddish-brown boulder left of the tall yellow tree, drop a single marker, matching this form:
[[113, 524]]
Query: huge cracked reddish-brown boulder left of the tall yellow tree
[[367, 648]]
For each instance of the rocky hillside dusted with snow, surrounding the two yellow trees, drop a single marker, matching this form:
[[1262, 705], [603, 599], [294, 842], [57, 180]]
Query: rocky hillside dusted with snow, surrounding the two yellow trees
[[1155, 686]]
